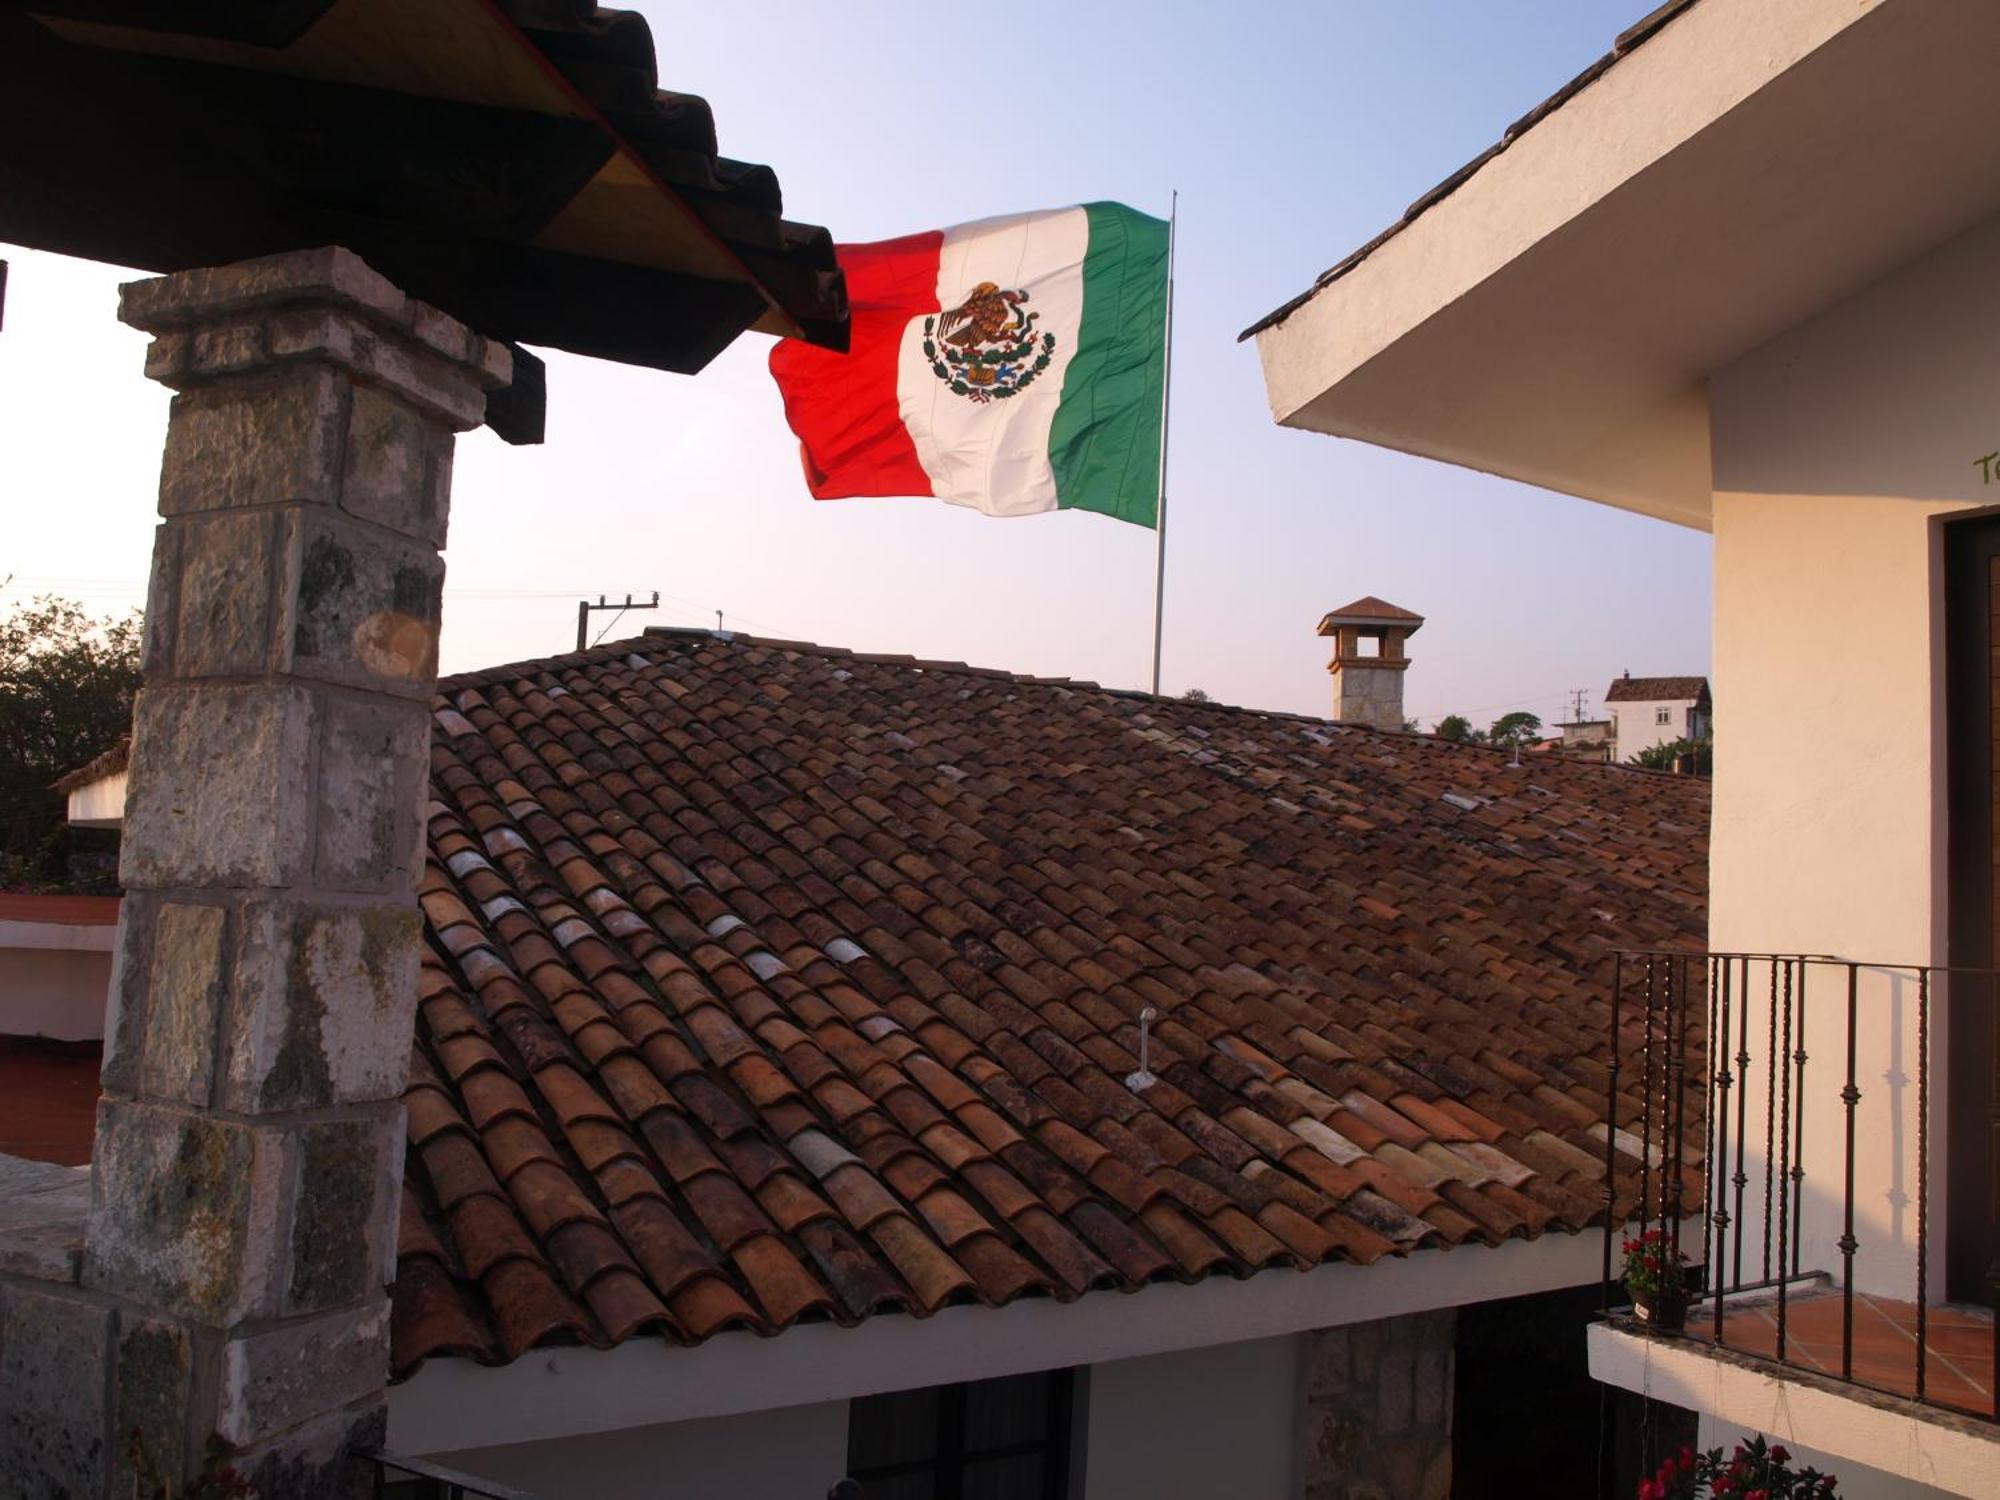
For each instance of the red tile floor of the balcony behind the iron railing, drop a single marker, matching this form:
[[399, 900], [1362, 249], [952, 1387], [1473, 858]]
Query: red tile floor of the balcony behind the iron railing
[[1959, 1367]]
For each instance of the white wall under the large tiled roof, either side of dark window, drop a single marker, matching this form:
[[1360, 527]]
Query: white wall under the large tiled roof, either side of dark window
[[1203, 1423]]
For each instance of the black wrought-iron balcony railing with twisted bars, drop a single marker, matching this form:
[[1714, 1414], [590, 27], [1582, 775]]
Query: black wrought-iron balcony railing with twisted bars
[[1785, 1115]]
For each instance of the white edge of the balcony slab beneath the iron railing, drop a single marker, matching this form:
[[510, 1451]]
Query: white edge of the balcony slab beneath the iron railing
[[1893, 1439]]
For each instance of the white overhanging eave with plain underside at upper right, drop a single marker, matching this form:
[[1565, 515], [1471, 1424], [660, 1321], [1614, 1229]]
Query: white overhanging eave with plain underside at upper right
[[1555, 311]]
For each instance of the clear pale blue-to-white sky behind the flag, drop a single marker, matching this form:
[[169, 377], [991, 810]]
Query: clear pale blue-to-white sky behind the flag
[[1293, 131]]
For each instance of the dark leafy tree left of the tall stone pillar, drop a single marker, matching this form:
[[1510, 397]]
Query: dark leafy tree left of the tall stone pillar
[[67, 687]]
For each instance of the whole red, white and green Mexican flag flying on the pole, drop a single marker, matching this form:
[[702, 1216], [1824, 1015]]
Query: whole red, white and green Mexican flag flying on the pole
[[1013, 365]]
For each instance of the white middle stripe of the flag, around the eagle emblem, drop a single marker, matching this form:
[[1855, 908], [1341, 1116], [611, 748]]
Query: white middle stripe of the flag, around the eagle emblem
[[995, 457]]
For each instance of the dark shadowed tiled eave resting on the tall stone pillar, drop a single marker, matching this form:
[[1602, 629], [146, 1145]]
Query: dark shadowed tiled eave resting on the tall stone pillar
[[515, 165]]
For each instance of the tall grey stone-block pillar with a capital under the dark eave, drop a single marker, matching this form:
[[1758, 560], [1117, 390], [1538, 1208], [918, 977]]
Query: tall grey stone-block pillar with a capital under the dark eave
[[249, 1145]]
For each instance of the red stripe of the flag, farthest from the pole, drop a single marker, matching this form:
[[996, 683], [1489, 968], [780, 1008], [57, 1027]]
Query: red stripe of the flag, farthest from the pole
[[843, 407]]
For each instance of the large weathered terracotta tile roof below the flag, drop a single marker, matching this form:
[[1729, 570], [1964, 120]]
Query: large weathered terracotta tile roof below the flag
[[775, 983]]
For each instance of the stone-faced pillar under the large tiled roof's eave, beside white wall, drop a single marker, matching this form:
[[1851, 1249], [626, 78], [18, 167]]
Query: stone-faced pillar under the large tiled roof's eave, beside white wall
[[1379, 1409]]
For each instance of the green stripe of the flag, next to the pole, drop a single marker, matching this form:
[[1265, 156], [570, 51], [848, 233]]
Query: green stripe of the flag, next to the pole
[[1105, 443]]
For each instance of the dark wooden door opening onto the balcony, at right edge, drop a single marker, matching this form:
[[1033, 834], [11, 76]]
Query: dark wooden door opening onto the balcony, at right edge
[[1973, 733]]
